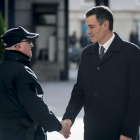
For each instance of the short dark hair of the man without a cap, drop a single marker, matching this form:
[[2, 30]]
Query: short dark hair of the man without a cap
[[103, 14]]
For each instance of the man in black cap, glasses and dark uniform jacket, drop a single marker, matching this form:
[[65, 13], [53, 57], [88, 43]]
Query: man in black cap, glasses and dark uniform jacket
[[23, 113]]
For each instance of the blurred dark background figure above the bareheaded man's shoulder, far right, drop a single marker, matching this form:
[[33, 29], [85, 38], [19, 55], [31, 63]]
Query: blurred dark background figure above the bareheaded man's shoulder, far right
[[134, 38]]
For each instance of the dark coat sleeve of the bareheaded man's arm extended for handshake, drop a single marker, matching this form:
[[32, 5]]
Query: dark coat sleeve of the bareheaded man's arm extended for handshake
[[77, 98]]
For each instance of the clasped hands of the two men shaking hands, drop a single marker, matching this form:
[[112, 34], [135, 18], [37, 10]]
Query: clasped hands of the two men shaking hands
[[66, 125]]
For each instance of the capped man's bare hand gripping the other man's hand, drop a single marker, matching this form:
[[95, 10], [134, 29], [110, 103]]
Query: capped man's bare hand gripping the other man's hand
[[65, 131]]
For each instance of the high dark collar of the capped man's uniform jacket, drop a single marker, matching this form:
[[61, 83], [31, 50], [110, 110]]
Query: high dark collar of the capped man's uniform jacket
[[17, 56]]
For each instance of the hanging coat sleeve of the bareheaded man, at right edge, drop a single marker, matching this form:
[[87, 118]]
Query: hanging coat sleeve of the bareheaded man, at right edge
[[131, 122]]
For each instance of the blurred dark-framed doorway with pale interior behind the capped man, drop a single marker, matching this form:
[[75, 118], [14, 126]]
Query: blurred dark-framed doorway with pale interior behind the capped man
[[45, 23]]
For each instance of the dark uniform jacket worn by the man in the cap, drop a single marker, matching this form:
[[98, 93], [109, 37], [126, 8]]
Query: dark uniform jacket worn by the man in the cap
[[21, 96]]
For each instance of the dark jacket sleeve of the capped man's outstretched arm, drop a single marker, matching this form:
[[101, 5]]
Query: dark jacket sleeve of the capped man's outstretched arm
[[30, 96]]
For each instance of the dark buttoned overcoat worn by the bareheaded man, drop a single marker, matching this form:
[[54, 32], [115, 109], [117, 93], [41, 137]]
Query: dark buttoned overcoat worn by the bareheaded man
[[109, 90]]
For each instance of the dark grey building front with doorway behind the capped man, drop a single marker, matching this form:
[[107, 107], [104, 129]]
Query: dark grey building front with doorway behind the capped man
[[49, 18]]
